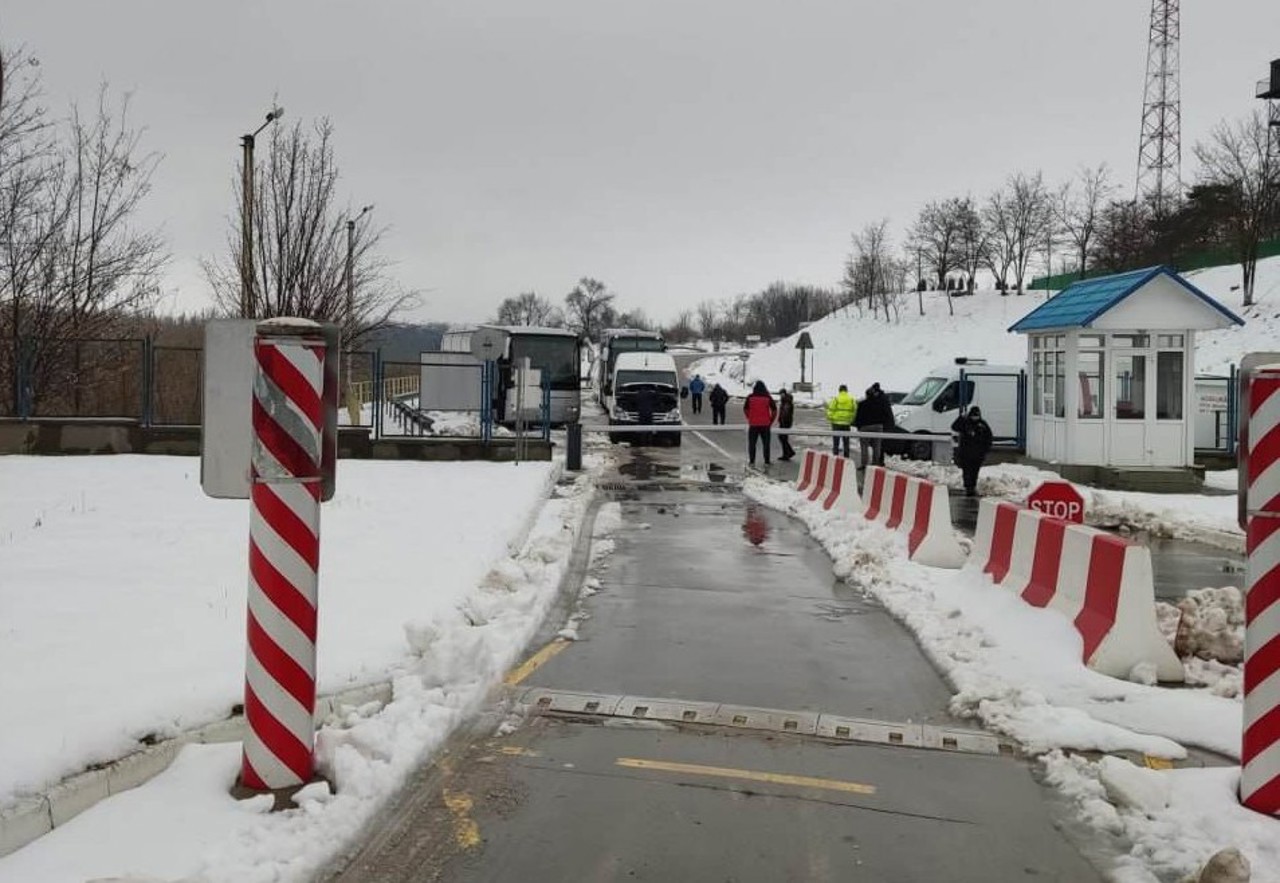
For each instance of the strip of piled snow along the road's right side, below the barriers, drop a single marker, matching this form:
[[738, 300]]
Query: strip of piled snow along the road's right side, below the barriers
[[1018, 670]]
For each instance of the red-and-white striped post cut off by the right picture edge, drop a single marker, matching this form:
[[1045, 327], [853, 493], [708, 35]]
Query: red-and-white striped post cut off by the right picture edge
[[1260, 780]]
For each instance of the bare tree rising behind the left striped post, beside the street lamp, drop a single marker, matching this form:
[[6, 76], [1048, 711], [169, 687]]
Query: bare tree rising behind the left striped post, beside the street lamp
[[300, 244]]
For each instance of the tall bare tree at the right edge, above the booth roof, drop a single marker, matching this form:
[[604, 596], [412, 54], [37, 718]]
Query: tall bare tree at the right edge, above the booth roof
[[1237, 159]]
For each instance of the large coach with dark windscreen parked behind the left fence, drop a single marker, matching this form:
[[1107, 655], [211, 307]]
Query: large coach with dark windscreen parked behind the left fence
[[552, 351]]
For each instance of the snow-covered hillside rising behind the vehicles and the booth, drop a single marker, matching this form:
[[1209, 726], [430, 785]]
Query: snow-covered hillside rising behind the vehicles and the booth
[[861, 350]]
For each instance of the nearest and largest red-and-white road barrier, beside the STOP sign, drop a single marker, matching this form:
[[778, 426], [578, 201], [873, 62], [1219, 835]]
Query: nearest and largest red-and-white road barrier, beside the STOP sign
[[1100, 582]]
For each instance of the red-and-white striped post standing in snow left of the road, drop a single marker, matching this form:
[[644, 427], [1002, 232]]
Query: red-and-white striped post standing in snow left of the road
[[284, 555]]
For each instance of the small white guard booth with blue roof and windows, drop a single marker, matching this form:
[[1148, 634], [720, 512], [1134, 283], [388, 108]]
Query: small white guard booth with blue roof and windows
[[1113, 365]]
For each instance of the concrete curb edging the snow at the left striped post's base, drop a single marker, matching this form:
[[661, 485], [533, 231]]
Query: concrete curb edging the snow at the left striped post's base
[[31, 818]]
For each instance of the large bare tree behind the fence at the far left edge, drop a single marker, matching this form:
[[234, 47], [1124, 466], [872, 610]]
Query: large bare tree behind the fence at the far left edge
[[72, 255]]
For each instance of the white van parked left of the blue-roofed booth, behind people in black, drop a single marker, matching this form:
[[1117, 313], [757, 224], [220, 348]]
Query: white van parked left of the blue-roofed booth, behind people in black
[[936, 401]]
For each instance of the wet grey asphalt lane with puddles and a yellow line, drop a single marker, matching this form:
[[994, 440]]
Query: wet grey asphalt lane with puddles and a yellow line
[[711, 598]]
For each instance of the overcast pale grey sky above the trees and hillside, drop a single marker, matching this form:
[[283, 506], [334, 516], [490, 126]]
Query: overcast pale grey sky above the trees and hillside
[[678, 150]]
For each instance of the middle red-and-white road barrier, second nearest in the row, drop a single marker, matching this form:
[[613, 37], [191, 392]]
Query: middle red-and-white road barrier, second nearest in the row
[[920, 507]]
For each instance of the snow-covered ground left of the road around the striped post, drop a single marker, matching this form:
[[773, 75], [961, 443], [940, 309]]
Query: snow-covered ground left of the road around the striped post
[[124, 598]]
